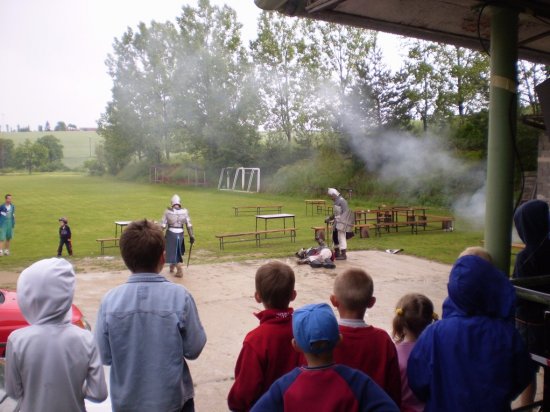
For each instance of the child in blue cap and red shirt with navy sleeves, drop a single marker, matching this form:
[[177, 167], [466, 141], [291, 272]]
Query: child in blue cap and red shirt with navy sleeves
[[322, 385]]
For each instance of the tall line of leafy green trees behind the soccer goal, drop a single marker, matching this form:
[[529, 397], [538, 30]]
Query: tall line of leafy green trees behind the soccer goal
[[301, 88]]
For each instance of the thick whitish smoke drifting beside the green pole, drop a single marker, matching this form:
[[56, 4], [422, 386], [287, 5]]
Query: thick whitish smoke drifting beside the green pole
[[420, 164]]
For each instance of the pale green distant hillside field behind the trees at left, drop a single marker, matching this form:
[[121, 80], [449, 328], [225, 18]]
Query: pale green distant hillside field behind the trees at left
[[77, 146]]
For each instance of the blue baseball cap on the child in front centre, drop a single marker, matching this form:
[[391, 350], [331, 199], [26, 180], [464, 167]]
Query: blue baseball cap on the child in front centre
[[314, 323]]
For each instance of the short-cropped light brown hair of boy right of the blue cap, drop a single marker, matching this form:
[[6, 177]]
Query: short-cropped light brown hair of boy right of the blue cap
[[354, 288]]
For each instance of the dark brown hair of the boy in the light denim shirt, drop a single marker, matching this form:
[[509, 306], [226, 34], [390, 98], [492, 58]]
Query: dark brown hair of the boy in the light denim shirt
[[141, 246]]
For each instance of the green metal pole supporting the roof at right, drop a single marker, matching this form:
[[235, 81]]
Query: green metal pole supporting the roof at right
[[502, 124]]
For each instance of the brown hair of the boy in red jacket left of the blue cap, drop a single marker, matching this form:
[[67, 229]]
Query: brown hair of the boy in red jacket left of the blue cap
[[275, 284]]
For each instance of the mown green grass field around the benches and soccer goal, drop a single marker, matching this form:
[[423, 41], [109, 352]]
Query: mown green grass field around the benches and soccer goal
[[92, 205]]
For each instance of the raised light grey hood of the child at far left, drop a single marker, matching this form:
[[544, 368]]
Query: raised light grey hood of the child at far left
[[45, 291]]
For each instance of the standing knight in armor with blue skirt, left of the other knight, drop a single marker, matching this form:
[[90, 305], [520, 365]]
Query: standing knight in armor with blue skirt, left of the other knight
[[174, 220]]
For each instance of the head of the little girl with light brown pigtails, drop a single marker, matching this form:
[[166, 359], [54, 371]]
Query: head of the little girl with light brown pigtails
[[413, 313]]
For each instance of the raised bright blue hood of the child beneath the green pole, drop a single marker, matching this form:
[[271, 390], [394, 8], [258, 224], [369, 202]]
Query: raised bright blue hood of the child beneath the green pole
[[477, 288]]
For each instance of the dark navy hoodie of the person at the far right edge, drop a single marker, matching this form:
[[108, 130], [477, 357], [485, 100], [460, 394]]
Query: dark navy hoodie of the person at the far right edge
[[532, 222]]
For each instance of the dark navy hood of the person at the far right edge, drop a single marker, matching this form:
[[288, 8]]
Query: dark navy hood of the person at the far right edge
[[532, 222]]
